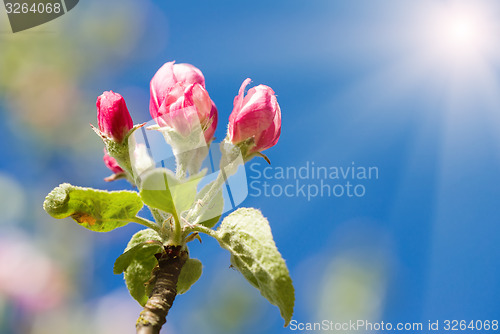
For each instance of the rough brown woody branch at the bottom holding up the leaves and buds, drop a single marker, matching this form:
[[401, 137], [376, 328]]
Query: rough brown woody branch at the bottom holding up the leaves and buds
[[153, 317]]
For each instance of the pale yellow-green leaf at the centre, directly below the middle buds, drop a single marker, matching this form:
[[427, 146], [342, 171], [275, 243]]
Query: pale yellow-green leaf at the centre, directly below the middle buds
[[162, 190]]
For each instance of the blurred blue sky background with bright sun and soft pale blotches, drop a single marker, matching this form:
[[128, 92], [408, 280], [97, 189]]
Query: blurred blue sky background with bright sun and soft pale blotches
[[408, 86]]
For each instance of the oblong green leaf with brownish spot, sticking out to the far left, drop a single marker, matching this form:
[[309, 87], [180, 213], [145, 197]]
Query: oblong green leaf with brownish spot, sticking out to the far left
[[96, 210]]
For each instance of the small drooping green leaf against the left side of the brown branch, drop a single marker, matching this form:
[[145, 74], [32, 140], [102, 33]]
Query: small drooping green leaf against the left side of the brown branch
[[139, 269]]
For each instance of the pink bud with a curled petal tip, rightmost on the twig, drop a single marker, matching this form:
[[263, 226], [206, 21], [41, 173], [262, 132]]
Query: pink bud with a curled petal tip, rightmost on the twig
[[256, 115]]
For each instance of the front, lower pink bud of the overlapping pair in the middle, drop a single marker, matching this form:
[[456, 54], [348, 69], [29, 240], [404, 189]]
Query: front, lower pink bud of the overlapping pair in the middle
[[185, 107]]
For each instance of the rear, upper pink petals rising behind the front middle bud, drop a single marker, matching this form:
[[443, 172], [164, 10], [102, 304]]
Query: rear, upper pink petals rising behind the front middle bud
[[167, 77]]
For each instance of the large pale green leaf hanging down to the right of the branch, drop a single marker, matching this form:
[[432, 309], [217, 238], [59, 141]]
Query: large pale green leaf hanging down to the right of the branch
[[247, 235]]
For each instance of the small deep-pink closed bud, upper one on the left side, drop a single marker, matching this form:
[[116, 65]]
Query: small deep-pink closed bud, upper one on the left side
[[113, 117]]
